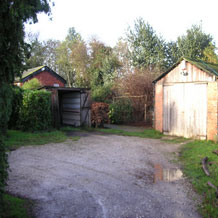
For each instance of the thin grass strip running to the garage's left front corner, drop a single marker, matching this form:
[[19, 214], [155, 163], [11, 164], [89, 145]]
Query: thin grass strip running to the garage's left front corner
[[148, 133]]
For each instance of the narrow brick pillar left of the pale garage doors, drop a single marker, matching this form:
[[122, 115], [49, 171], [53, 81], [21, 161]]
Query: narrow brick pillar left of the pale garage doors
[[158, 113]]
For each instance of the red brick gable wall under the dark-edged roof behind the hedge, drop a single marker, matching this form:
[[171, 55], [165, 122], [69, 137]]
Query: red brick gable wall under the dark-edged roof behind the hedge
[[47, 79]]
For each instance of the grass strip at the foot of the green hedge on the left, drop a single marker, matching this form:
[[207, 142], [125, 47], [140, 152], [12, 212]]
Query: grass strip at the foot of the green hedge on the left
[[18, 138]]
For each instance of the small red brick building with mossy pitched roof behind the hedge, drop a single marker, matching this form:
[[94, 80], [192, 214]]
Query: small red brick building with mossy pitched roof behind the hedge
[[45, 75]]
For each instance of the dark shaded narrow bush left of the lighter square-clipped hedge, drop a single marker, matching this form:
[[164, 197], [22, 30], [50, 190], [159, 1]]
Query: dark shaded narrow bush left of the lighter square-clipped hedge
[[16, 105]]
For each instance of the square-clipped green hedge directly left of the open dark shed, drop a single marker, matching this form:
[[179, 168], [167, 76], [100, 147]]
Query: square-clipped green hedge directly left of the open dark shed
[[35, 113]]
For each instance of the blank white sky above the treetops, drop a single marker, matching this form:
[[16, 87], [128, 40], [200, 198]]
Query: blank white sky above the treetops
[[108, 20]]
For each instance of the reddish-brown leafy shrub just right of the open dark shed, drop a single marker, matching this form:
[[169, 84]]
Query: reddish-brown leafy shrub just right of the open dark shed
[[99, 114]]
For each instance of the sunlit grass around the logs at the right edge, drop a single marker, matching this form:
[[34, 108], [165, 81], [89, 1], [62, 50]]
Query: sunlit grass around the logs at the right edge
[[192, 154]]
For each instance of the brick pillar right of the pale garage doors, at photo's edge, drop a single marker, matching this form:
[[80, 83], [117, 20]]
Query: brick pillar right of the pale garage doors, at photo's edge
[[212, 111]]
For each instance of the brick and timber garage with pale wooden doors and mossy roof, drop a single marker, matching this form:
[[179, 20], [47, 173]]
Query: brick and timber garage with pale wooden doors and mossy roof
[[186, 100]]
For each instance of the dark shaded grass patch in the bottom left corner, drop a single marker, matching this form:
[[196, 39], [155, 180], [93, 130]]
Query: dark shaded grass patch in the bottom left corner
[[16, 207]]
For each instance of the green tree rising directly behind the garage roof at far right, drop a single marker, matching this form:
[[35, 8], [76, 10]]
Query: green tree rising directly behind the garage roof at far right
[[197, 44]]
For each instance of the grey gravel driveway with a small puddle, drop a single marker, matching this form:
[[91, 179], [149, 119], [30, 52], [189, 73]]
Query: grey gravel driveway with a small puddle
[[101, 176]]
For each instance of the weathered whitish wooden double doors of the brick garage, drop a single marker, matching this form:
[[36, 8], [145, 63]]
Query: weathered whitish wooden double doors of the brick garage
[[185, 110]]
